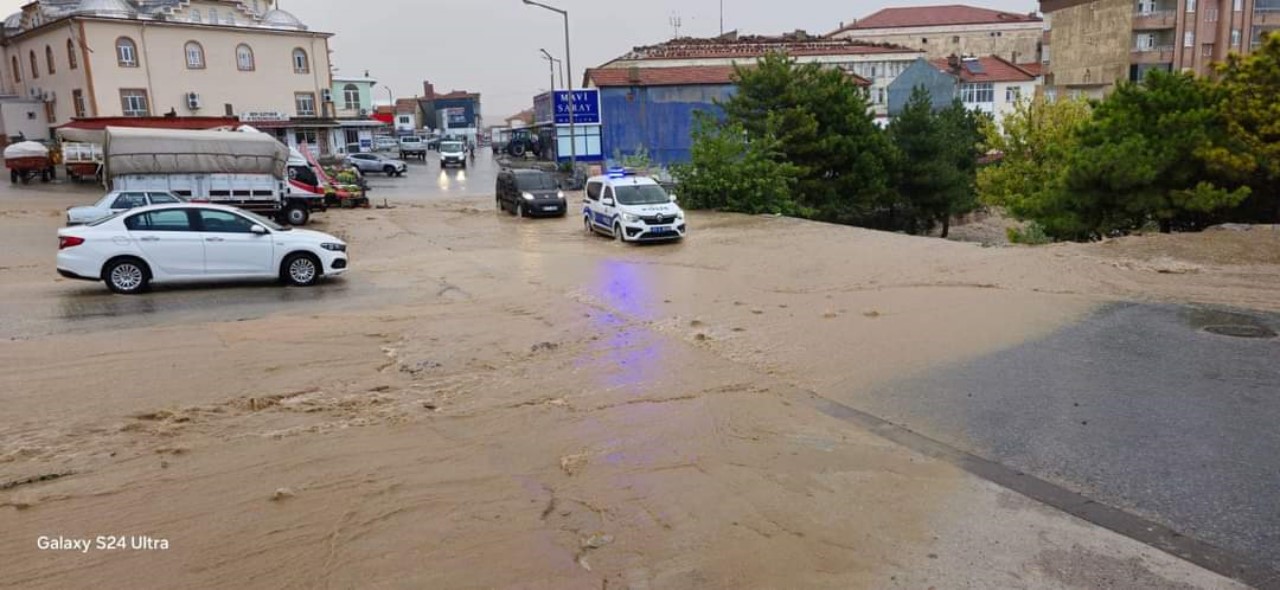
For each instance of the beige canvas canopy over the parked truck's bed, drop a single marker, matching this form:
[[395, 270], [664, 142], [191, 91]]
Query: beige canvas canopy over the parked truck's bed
[[173, 152]]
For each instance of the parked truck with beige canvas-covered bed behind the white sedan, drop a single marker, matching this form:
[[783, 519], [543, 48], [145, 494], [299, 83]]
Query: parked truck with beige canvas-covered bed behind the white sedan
[[246, 171]]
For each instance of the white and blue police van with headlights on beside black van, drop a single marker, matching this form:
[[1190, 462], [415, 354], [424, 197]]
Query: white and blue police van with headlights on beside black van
[[632, 209]]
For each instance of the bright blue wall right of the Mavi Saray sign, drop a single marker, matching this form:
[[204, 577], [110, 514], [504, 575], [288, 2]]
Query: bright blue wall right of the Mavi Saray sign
[[659, 118]]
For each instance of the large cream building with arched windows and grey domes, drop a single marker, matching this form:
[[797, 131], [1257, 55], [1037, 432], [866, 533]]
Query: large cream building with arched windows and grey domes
[[179, 58]]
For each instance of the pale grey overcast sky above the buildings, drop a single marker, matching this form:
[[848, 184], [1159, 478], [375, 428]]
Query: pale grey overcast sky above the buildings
[[491, 47]]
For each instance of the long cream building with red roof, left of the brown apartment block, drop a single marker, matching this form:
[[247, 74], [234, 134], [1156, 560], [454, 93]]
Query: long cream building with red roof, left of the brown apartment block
[[953, 30]]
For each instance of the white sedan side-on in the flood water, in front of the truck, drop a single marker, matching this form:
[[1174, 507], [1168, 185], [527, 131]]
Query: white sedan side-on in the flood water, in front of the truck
[[189, 243]]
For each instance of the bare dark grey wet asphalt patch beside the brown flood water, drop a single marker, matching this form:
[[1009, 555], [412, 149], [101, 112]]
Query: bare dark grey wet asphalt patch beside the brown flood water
[[1139, 408]]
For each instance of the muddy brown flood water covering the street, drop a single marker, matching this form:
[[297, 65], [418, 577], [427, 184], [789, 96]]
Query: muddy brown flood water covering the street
[[499, 403]]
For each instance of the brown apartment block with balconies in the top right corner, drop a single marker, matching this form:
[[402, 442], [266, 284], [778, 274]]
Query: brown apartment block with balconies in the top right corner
[[1090, 45]]
